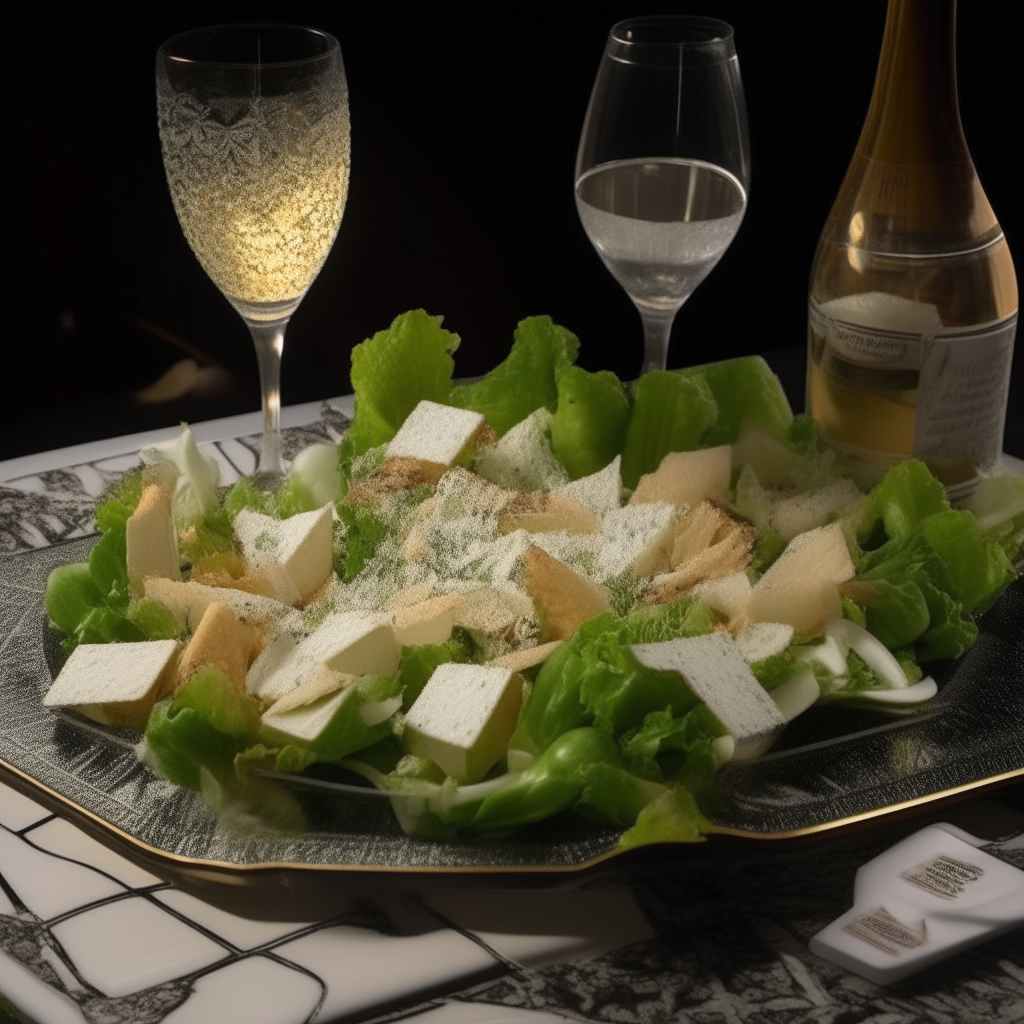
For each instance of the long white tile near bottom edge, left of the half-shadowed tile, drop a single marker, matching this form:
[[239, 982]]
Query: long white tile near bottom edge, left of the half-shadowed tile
[[362, 968]]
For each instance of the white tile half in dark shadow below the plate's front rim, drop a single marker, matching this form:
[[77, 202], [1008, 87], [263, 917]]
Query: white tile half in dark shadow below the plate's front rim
[[536, 929]]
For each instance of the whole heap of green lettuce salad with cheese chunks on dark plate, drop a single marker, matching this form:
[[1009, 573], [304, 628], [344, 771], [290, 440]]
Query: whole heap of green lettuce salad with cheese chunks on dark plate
[[546, 591]]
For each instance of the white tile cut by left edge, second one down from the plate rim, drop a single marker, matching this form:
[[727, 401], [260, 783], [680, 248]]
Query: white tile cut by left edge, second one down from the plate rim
[[48, 885]]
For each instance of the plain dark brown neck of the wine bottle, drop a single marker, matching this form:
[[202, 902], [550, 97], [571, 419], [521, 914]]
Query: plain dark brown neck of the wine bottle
[[914, 117]]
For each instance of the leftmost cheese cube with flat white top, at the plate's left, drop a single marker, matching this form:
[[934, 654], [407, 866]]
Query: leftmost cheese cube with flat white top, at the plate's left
[[116, 684]]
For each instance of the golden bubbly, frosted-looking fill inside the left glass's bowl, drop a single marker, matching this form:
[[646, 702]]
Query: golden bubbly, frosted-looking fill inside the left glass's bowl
[[260, 186]]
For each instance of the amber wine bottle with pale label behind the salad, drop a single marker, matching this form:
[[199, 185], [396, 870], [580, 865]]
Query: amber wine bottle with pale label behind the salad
[[913, 306]]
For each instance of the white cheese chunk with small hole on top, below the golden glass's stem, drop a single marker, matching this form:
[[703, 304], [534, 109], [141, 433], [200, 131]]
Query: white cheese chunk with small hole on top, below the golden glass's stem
[[303, 544]]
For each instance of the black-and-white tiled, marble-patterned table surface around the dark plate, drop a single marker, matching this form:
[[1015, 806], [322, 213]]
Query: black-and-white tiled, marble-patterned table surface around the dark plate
[[89, 936]]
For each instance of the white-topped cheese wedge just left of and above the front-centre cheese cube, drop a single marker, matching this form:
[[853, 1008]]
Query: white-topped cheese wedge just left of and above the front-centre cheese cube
[[350, 644]]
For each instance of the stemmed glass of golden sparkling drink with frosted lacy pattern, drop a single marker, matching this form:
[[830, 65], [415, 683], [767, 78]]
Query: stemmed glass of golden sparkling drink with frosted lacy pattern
[[255, 138]]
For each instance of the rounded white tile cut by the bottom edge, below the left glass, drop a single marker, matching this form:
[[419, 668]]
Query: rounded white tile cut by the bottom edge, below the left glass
[[257, 991]]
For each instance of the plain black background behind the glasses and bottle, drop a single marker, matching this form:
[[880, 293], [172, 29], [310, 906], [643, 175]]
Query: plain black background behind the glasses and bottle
[[465, 124]]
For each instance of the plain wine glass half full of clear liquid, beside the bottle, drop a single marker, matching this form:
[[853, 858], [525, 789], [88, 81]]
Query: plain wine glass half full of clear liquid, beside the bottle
[[663, 170]]
